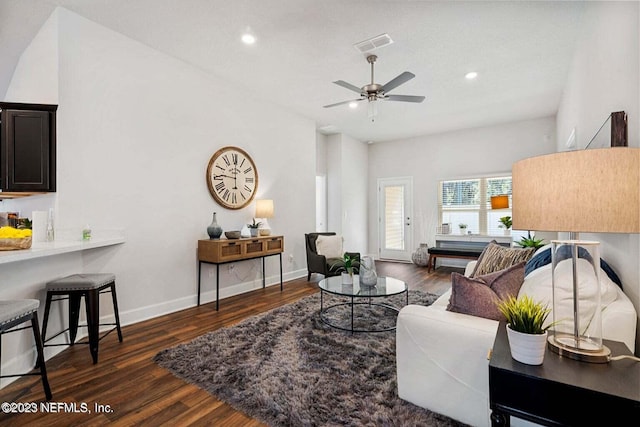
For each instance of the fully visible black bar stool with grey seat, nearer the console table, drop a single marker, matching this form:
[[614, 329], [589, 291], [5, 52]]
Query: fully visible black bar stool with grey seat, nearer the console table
[[73, 288]]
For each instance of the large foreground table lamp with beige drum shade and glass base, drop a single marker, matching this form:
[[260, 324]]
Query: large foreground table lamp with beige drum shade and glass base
[[592, 191]]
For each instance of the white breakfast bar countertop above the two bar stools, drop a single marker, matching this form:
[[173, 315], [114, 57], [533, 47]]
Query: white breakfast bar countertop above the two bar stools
[[44, 249]]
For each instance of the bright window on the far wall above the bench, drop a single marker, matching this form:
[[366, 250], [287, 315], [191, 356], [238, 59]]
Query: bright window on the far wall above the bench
[[468, 201]]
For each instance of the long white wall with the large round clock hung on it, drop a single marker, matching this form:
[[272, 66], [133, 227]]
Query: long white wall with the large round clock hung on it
[[136, 129]]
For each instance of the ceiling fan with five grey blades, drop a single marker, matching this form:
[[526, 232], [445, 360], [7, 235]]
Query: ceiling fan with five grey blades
[[373, 92]]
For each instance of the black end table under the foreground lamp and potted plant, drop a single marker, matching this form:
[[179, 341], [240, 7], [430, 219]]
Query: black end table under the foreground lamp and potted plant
[[563, 391]]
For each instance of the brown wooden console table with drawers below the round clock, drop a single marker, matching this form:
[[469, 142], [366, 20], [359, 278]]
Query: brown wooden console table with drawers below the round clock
[[223, 251]]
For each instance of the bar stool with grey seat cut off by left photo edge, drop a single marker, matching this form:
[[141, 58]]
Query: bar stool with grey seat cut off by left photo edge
[[17, 312]]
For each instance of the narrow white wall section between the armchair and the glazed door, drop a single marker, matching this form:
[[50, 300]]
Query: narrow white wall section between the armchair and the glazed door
[[347, 160]]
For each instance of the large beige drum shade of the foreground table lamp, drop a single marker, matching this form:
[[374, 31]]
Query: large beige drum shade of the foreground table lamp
[[592, 191]]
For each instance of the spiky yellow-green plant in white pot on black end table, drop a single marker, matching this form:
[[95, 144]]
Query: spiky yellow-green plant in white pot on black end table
[[526, 331]]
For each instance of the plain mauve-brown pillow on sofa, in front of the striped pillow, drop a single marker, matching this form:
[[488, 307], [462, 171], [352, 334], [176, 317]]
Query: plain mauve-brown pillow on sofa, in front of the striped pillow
[[478, 296]]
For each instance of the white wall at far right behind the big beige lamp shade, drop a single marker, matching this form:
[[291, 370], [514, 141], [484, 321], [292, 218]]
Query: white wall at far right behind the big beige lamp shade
[[604, 77]]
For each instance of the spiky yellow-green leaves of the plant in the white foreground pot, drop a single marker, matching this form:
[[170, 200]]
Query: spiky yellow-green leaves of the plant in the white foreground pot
[[524, 314]]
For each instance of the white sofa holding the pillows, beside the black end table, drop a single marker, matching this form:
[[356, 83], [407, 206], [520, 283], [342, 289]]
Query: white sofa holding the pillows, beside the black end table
[[442, 356]]
